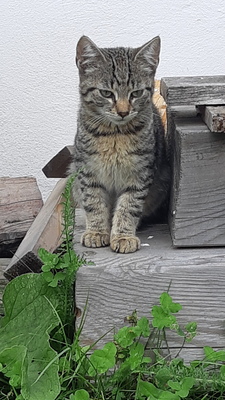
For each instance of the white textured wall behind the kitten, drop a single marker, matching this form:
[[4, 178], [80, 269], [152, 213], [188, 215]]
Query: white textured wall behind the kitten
[[39, 83]]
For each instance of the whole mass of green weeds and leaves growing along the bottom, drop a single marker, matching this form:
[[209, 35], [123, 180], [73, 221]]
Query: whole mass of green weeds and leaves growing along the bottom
[[41, 357]]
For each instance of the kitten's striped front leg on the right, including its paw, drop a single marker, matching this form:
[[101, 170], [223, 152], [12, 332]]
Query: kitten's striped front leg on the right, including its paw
[[125, 221]]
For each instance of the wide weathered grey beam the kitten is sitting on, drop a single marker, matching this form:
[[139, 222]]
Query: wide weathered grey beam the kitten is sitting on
[[119, 283]]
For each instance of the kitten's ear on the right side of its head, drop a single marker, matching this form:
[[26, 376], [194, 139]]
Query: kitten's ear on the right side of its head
[[148, 54]]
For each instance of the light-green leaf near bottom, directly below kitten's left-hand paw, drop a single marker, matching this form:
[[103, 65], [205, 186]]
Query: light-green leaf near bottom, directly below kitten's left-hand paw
[[102, 360]]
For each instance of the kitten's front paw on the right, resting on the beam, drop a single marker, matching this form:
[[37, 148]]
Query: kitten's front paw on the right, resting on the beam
[[125, 244]]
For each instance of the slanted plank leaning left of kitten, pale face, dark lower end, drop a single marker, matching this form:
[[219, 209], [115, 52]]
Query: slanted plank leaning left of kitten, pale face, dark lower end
[[45, 232]]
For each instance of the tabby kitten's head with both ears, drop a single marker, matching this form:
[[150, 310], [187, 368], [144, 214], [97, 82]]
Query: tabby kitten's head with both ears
[[116, 84]]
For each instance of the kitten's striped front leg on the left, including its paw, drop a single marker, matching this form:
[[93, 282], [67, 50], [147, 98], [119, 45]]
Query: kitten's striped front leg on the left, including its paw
[[97, 209]]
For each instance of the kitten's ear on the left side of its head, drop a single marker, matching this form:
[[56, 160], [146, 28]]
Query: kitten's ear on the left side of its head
[[88, 55]]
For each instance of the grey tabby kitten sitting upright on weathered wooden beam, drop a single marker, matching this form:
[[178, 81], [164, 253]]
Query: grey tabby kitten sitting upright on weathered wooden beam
[[120, 146]]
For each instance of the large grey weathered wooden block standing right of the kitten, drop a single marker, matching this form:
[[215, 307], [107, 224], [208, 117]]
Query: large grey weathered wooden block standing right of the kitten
[[197, 215]]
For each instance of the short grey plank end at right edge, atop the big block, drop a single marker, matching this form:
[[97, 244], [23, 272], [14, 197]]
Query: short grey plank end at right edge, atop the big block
[[214, 117]]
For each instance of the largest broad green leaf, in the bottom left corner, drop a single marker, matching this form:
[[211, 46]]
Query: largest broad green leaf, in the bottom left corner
[[29, 317]]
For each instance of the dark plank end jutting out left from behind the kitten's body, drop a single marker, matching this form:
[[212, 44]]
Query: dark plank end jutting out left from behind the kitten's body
[[58, 166]]
